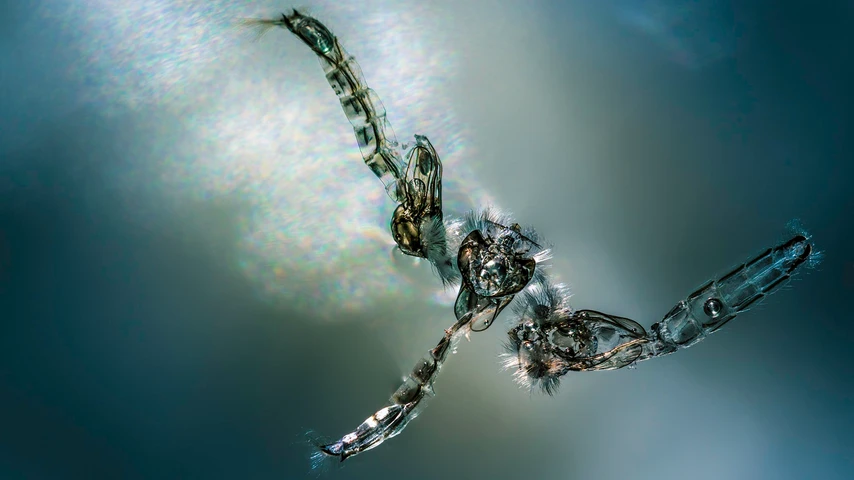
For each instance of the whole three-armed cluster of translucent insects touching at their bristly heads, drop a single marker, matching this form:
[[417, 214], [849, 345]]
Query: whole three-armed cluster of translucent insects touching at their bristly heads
[[497, 261]]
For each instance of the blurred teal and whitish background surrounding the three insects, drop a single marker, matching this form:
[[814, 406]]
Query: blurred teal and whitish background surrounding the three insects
[[195, 266]]
